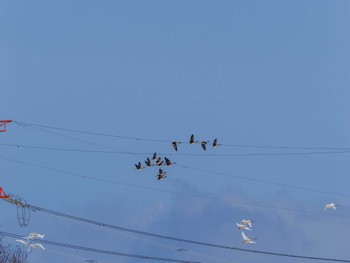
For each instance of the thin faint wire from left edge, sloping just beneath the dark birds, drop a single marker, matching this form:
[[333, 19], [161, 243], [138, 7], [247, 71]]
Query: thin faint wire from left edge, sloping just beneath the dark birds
[[175, 192]]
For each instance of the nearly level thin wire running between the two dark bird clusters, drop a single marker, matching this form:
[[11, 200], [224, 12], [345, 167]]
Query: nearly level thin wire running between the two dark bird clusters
[[176, 154]]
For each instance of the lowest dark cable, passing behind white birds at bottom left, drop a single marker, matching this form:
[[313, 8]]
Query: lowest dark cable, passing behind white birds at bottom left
[[100, 251]]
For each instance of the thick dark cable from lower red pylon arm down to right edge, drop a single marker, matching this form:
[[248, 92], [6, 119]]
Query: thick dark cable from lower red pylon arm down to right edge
[[130, 230]]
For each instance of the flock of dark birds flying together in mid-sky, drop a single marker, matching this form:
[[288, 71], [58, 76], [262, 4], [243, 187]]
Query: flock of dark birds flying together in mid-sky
[[158, 161]]
